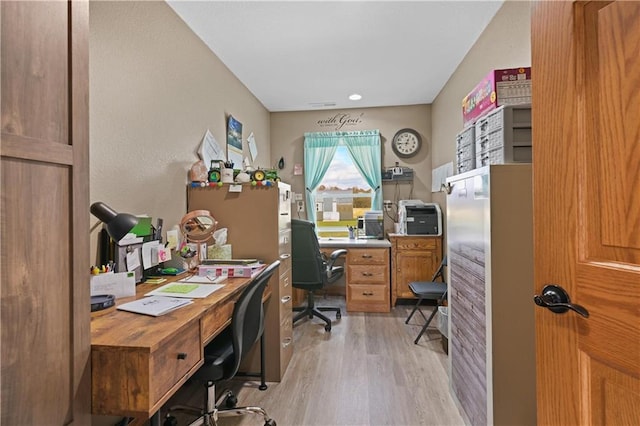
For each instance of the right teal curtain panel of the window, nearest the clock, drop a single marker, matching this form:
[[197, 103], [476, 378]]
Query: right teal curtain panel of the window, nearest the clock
[[364, 148]]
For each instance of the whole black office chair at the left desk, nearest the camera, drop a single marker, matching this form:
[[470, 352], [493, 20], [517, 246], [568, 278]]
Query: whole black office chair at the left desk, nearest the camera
[[223, 355]]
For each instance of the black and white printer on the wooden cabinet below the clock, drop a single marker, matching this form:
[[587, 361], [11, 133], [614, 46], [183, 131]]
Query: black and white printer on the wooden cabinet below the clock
[[419, 218]]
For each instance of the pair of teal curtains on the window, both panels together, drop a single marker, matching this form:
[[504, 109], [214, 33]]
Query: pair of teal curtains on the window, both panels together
[[319, 150]]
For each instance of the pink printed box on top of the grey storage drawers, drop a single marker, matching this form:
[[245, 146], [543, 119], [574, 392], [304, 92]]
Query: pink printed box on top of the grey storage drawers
[[500, 87]]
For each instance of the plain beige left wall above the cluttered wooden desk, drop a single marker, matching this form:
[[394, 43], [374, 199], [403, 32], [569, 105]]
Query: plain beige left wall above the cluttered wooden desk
[[155, 88]]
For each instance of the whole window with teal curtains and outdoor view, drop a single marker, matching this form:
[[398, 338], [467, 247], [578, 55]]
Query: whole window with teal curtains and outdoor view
[[342, 179]]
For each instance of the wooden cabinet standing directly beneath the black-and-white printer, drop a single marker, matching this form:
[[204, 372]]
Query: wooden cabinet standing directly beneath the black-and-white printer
[[413, 258]]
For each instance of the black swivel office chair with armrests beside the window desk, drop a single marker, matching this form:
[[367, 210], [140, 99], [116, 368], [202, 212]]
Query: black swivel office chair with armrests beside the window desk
[[310, 269]]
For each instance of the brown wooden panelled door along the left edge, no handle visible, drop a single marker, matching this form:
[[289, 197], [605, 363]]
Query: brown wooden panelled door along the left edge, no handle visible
[[44, 298]]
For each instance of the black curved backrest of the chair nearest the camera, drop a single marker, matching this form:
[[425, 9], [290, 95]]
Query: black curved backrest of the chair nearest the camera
[[247, 321]]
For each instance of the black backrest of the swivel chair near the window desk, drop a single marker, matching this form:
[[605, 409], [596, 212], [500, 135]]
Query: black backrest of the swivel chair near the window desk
[[308, 266]]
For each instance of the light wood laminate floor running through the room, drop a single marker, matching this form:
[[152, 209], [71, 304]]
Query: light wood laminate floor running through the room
[[367, 371]]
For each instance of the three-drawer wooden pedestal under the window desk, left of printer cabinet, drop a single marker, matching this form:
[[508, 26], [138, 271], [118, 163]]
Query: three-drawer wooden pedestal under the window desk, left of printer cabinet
[[368, 286]]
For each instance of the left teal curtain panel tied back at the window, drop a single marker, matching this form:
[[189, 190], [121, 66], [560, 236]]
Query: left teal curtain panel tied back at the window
[[319, 149]]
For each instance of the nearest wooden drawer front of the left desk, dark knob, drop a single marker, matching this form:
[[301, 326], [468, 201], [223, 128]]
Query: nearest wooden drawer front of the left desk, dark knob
[[173, 360]]
